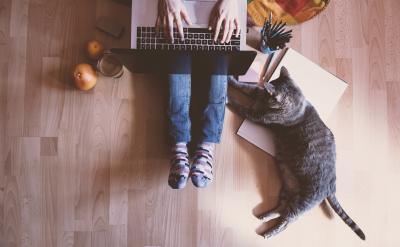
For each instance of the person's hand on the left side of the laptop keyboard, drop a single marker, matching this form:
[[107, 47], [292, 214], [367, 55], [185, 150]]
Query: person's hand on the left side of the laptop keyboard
[[170, 12]]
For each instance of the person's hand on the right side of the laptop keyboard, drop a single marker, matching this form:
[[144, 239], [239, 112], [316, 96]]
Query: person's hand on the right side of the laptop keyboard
[[225, 14]]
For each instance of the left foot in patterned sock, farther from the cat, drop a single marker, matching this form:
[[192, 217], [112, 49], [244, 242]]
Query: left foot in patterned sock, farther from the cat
[[179, 171]]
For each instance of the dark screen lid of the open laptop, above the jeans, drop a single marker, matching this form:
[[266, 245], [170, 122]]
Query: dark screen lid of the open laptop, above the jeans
[[185, 62]]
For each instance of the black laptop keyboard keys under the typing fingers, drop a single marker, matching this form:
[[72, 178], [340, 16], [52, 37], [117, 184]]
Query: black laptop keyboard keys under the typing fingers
[[196, 39]]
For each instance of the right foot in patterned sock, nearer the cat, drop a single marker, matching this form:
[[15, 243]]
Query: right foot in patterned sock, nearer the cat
[[201, 170]]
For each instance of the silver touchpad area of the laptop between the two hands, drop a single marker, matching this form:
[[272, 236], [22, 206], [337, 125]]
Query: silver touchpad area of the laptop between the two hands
[[199, 11]]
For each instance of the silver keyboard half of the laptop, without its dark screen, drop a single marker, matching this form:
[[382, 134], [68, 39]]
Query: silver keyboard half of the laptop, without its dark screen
[[197, 36]]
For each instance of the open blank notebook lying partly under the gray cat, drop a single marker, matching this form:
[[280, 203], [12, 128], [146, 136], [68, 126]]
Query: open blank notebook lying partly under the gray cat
[[319, 86]]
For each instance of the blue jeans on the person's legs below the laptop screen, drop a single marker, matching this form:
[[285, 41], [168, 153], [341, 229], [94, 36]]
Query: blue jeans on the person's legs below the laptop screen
[[208, 101]]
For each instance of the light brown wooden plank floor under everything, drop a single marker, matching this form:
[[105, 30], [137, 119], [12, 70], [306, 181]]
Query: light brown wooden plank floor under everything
[[90, 169]]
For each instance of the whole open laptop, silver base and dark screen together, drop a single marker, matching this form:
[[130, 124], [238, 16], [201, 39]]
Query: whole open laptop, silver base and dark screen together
[[152, 53]]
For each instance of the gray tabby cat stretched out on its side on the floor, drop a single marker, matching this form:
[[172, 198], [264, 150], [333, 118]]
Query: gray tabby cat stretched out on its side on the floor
[[305, 150]]
